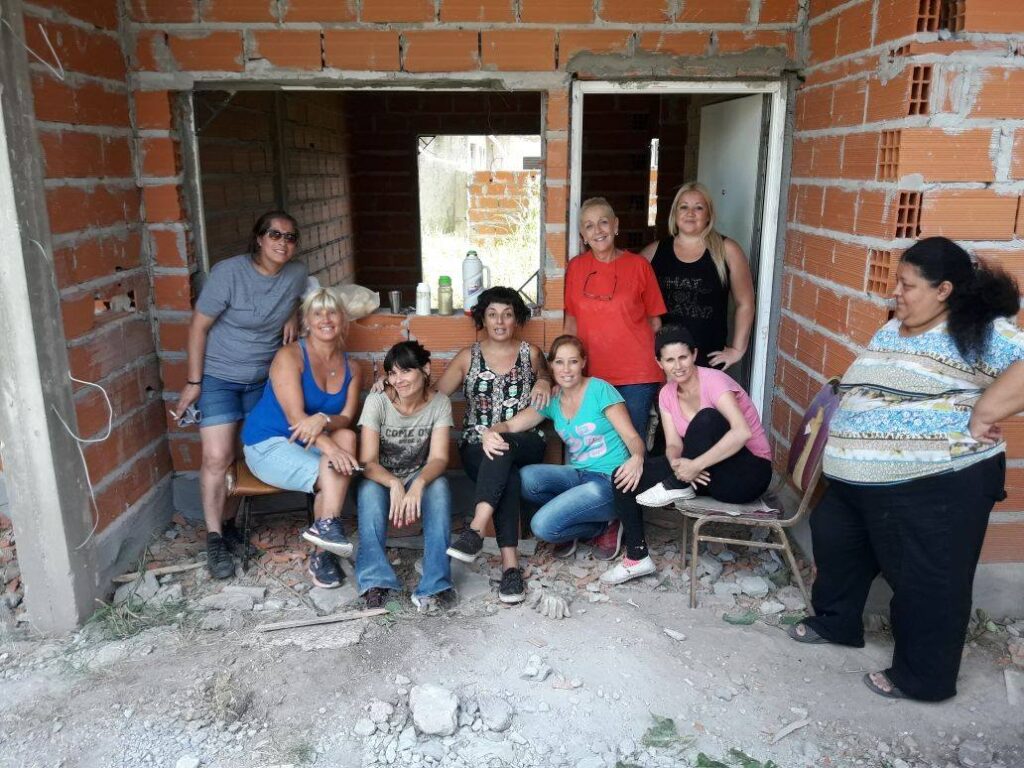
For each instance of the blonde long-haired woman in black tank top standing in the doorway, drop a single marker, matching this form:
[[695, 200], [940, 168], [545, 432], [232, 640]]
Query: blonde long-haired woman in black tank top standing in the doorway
[[699, 271]]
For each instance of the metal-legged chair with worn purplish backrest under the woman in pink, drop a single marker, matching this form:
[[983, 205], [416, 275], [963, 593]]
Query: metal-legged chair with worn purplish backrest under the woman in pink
[[804, 471]]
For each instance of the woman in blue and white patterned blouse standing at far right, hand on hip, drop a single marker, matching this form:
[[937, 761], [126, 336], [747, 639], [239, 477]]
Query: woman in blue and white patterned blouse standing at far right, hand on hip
[[916, 461]]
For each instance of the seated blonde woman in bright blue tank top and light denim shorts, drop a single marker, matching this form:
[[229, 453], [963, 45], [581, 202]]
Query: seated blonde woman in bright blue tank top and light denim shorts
[[300, 437]]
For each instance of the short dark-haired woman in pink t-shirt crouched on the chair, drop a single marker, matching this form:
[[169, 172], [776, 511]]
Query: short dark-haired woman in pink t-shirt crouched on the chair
[[715, 445]]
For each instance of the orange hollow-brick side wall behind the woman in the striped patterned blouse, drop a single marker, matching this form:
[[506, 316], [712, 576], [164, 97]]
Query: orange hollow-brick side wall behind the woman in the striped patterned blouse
[[900, 135]]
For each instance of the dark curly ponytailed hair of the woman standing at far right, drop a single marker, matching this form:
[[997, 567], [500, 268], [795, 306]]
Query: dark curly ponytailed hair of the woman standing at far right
[[980, 292]]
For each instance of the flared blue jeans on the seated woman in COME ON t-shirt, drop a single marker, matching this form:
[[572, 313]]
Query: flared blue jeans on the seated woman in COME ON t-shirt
[[372, 566]]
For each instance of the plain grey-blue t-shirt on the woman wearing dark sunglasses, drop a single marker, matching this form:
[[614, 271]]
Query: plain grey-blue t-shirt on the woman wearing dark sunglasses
[[250, 311]]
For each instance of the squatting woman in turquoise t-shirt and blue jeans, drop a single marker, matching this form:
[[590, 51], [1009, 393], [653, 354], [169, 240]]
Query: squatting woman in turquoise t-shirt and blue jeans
[[607, 455]]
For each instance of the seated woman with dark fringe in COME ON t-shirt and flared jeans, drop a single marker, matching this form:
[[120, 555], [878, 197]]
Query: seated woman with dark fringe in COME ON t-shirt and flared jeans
[[404, 446]]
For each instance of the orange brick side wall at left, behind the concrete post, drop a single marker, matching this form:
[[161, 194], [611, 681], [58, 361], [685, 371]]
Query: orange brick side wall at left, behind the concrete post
[[101, 248]]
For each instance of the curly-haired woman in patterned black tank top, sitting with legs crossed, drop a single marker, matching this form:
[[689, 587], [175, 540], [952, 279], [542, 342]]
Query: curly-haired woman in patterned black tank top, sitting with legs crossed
[[499, 376]]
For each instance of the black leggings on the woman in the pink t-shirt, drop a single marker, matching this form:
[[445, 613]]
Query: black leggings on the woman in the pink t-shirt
[[740, 479]]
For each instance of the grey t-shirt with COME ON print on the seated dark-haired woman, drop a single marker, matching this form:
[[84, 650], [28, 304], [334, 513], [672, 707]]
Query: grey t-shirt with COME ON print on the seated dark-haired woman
[[405, 440]]
